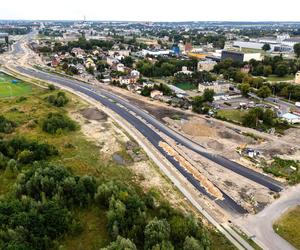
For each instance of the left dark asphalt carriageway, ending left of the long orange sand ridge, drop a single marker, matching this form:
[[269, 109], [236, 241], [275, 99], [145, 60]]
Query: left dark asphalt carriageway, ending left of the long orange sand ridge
[[153, 137]]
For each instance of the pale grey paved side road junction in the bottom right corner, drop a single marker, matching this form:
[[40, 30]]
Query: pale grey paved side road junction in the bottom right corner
[[260, 225]]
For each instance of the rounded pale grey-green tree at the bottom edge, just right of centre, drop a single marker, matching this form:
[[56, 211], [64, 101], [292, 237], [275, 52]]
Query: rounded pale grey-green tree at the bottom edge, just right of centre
[[156, 232]]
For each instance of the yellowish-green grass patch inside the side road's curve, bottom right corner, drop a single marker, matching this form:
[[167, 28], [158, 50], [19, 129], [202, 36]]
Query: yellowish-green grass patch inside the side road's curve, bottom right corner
[[288, 227]]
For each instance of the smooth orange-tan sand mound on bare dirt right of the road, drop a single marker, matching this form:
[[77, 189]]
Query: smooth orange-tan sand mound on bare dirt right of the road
[[196, 128]]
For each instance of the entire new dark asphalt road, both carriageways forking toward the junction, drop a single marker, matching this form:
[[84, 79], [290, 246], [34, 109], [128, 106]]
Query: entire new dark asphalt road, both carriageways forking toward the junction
[[132, 114]]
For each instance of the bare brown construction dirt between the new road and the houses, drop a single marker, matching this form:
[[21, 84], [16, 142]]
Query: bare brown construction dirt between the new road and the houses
[[218, 136]]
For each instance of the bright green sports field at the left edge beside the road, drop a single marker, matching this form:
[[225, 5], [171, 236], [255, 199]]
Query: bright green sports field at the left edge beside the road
[[9, 89]]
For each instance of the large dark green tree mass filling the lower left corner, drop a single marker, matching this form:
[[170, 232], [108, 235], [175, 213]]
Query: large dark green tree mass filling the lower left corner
[[38, 212]]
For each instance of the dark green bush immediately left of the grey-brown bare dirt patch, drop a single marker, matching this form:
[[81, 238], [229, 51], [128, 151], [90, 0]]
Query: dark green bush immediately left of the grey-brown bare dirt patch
[[56, 123]]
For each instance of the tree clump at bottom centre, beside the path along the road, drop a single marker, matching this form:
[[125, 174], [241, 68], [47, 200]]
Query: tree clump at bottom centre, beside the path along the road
[[129, 216]]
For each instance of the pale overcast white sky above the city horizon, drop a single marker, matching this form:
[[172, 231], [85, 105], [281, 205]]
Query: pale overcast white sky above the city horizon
[[152, 10]]
